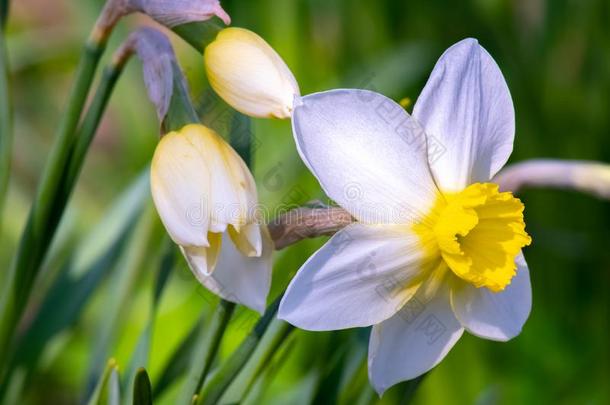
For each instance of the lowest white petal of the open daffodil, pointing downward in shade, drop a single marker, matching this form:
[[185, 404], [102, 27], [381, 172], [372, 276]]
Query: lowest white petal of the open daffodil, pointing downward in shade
[[413, 341]]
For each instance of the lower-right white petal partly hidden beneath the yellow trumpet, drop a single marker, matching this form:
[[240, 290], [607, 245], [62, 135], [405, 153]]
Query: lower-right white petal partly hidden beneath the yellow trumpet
[[495, 316]]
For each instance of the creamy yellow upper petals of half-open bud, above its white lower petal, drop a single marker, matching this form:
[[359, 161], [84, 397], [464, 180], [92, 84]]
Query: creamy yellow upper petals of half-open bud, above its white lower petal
[[201, 187]]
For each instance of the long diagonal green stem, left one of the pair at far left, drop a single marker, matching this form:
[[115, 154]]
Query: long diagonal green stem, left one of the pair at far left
[[45, 213]]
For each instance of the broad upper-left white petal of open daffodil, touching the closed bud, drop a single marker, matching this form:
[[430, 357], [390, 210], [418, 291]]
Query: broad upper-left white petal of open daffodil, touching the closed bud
[[368, 154]]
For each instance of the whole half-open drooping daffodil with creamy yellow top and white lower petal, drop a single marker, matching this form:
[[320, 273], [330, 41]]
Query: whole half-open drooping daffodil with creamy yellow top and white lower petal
[[207, 200]]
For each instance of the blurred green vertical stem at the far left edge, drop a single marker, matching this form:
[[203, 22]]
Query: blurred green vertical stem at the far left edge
[[6, 122]]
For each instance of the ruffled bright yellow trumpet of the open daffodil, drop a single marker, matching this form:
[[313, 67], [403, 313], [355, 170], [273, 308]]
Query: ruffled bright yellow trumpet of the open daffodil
[[479, 232]]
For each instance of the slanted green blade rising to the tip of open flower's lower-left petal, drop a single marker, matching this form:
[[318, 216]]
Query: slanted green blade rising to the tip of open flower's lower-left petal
[[217, 385]]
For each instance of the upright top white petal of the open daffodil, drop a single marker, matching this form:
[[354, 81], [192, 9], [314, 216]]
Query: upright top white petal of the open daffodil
[[467, 112]]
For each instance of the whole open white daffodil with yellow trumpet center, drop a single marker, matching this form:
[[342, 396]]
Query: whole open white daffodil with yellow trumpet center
[[437, 247]]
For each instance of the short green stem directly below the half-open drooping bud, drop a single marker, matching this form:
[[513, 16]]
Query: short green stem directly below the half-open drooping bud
[[211, 335]]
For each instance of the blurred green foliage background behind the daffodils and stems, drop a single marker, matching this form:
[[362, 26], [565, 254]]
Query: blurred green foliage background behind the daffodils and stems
[[555, 56]]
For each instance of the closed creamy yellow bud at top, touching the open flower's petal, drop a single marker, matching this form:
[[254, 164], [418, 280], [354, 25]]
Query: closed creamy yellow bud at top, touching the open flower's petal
[[249, 75]]
